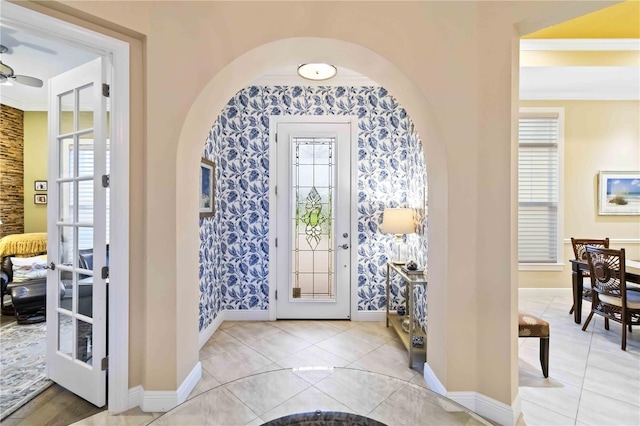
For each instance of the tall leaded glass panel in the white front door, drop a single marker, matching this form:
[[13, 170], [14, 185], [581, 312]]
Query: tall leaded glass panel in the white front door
[[313, 172]]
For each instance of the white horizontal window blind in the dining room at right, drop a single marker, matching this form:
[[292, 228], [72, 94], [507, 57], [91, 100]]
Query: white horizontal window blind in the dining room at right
[[538, 188]]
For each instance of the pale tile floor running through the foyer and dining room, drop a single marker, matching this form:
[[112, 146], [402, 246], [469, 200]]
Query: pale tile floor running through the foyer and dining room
[[251, 373]]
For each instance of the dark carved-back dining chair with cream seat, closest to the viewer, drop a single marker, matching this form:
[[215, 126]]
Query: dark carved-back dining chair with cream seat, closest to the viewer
[[610, 297]]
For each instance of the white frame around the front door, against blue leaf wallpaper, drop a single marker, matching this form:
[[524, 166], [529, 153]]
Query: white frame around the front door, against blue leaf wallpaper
[[274, 120]]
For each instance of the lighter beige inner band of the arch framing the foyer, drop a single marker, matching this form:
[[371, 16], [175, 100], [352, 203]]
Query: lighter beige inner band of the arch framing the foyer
[[289, 52]]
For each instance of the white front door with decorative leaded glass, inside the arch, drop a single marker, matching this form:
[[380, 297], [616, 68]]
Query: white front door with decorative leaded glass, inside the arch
[[313, 204]]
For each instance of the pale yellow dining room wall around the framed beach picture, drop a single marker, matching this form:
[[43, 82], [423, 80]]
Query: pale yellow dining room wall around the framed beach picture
[[599, 135]]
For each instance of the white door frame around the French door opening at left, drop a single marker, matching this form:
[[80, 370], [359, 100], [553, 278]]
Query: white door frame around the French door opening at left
[[33, 22]]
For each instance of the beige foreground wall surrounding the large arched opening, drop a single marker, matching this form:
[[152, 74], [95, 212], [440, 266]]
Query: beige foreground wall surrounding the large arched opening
[[449, 63]]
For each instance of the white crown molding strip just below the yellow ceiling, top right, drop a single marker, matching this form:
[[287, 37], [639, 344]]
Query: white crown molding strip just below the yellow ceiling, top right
[[590, 44]]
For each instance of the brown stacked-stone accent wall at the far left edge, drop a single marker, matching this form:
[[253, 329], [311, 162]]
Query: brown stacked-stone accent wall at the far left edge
[[11, 170]]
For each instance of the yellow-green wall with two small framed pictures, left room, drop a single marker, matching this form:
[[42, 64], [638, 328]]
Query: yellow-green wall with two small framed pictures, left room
[[35, 168]]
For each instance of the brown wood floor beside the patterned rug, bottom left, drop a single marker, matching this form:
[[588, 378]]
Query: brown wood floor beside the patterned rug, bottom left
[[56, 406]]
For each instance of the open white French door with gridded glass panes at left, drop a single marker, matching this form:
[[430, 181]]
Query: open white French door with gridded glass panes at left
[[77, 233]]
